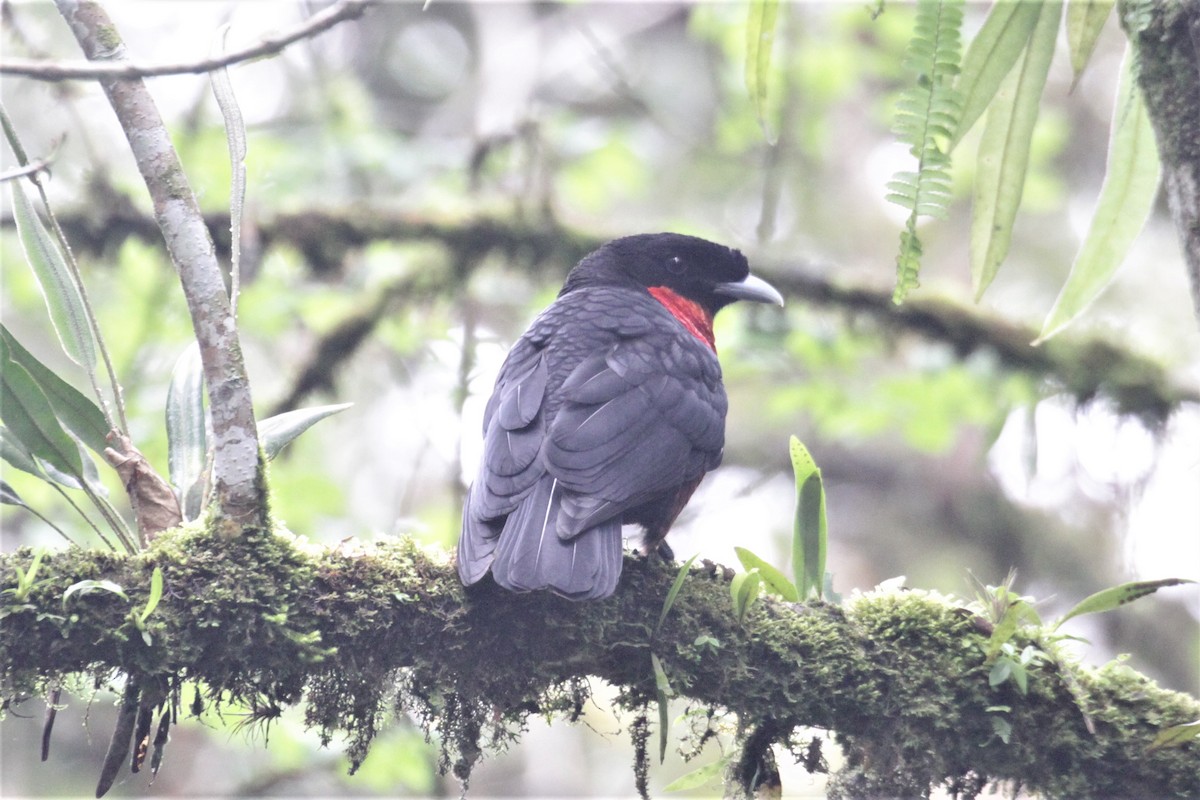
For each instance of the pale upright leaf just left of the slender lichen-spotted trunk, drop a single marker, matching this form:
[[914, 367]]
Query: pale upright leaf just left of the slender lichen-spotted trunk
[[187, 438]]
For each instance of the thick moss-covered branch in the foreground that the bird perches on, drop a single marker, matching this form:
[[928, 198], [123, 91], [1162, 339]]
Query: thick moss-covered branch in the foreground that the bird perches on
[[899, 678]]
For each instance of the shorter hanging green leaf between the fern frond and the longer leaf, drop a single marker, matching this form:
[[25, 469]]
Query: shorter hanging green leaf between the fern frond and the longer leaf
[[991, 58]]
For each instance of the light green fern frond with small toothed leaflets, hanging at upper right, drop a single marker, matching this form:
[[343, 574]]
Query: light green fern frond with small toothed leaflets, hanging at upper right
[[927, 116]]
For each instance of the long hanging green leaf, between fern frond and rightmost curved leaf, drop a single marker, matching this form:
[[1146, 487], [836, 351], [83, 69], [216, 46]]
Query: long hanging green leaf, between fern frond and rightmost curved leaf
[[1005, 151]]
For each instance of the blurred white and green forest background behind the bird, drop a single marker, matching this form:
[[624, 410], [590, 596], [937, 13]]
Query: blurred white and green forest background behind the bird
[[389, 157]]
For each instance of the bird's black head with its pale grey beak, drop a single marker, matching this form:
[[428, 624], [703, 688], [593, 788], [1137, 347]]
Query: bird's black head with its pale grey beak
[[705, 273]]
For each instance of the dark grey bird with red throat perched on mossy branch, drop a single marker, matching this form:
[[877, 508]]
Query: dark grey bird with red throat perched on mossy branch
[[609, 411]]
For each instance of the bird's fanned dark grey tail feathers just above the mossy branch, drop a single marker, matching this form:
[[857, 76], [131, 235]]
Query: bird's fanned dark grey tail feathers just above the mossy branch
[[531, 555]]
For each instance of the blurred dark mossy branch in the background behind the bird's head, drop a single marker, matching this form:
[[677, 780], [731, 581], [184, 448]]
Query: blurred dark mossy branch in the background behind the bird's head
[[1087, 369]]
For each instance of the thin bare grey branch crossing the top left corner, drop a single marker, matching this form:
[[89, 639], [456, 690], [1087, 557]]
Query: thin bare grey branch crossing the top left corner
[[316, 25]]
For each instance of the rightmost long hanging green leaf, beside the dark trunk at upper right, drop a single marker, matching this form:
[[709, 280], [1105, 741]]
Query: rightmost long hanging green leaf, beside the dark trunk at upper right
[[1126, 201]]
